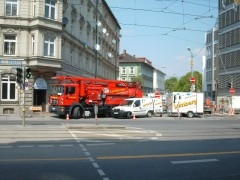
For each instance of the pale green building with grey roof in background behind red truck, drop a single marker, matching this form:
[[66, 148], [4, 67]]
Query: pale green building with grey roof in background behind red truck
[[131, 67]]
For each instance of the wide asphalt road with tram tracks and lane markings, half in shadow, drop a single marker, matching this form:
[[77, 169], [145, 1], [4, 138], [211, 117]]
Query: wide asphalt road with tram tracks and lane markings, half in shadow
[[156, 148]]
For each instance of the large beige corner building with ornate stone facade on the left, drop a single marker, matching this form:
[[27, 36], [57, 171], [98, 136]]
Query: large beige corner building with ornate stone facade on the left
[[53, 37]]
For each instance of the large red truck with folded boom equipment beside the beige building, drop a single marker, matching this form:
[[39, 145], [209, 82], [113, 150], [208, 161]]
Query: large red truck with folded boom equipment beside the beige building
[[78, 96]]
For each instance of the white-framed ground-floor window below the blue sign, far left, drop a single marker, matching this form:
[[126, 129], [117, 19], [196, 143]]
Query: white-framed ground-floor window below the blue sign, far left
[[8, 85]]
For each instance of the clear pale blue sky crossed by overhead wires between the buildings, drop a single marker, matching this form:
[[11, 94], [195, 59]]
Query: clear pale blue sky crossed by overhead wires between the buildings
[[163, 30]]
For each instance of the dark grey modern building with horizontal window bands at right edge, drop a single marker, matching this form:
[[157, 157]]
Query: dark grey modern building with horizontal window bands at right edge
[[229, 47]]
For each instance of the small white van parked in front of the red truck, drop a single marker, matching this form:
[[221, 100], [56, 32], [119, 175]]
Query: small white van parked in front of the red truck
[[138, 107]]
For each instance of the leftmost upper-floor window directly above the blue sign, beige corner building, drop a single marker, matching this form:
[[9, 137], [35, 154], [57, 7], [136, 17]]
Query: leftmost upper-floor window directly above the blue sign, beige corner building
[[9, 44]]
